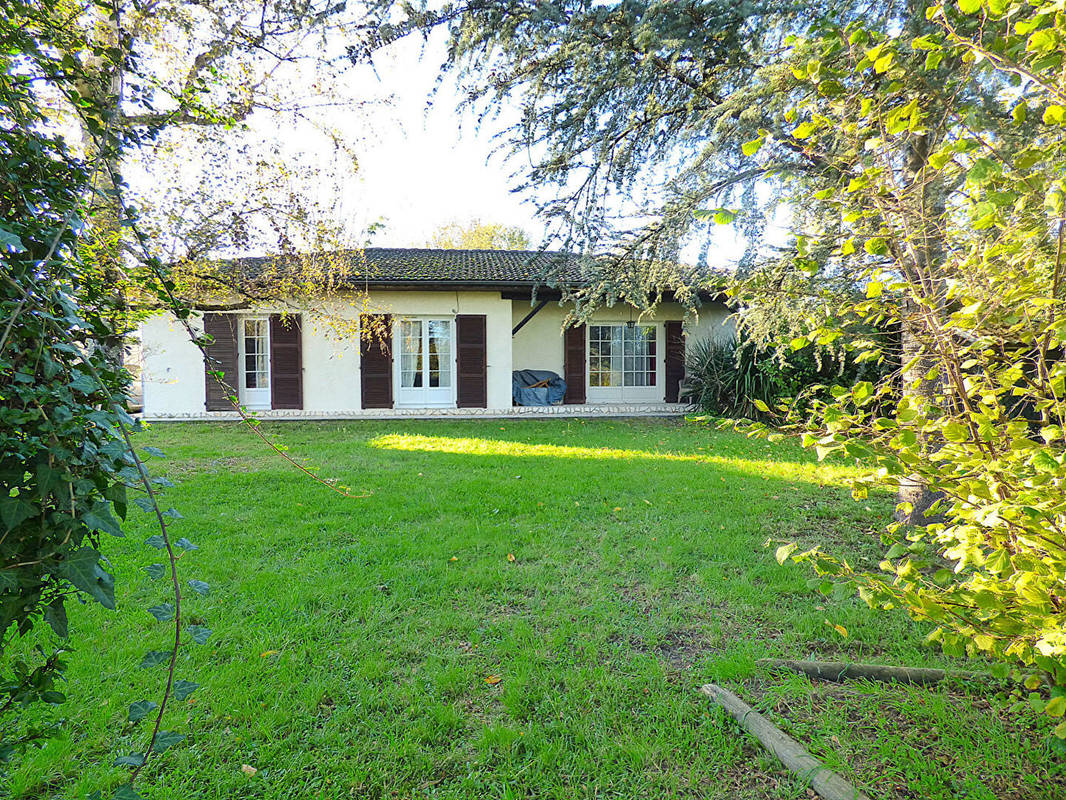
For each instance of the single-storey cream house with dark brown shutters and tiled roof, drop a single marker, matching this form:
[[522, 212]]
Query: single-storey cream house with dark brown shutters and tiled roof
[[450, 328]]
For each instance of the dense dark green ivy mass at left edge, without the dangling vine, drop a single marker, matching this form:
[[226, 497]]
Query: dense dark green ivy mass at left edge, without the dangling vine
[[63, 467]]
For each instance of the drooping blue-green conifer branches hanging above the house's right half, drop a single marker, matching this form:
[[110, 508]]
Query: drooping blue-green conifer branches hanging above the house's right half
[[636, 115]]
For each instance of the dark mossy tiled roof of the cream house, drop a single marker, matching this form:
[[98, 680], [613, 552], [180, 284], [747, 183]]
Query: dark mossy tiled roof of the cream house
[[414, 266]]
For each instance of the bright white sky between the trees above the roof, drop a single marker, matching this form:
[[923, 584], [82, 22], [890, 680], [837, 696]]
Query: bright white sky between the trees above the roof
[[422, 164]]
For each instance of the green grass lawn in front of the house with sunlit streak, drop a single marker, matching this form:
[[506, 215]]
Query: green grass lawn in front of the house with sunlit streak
[[353, 637]]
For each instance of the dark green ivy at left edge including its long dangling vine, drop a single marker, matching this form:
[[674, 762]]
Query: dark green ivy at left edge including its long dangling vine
[[68, 461]]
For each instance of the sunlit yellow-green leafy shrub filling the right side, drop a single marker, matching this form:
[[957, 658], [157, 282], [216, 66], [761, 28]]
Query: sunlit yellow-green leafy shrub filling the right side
[[950, 213]]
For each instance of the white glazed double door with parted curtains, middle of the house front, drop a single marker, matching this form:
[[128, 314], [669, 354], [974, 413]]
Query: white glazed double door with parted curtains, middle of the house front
[[427, 374]]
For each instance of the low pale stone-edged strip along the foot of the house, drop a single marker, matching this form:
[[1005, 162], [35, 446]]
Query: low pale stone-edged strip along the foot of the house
[[524, 412]]
